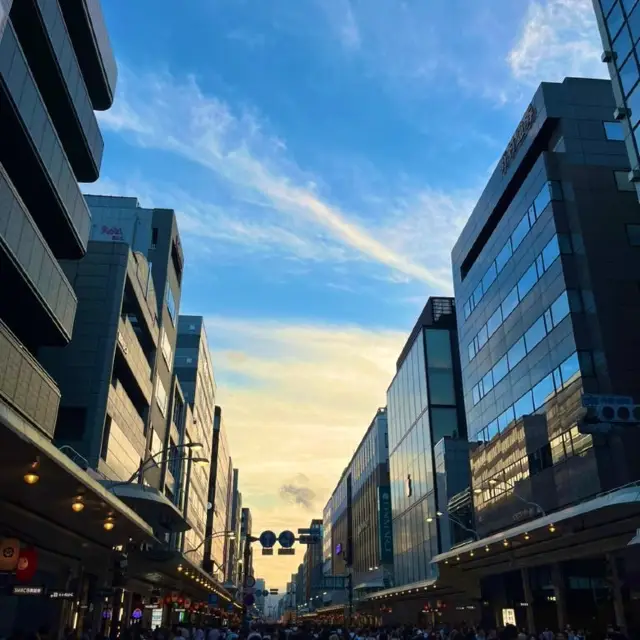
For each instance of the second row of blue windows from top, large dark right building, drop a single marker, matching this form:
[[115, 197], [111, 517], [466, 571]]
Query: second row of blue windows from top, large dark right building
[[511, 301]]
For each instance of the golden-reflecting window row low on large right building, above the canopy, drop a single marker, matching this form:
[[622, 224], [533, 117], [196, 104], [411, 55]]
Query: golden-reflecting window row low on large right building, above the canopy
[[567, 445]]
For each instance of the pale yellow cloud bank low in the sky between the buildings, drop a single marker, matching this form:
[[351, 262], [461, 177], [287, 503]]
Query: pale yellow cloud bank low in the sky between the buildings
[[296, 400]]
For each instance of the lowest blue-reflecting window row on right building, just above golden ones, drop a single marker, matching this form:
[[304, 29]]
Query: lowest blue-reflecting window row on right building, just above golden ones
[[534, 399]]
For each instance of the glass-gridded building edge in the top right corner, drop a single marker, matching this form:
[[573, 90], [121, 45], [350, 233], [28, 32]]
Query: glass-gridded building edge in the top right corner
[[619, 25]]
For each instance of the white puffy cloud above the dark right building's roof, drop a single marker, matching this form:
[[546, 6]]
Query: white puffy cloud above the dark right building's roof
[[558, 38]]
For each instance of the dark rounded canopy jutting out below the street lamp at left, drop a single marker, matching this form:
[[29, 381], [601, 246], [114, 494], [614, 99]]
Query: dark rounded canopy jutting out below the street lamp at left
[[151, 505]]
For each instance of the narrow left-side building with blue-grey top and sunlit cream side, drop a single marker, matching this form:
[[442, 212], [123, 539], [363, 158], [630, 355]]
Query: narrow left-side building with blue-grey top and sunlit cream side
[[194, 371]]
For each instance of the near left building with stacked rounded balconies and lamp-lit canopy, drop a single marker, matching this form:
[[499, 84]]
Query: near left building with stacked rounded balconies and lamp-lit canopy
[[56, 68]]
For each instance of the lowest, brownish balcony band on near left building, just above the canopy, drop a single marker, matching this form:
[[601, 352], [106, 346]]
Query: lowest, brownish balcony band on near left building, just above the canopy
[[25, 385]]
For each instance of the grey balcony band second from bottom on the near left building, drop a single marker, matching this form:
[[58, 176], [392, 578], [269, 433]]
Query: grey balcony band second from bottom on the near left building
[[38, 276]]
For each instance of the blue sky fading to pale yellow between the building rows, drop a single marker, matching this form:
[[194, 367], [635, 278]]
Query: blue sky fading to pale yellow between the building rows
[[322, 157]]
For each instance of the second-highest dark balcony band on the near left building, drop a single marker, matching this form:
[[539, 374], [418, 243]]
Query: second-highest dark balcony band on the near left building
[[43, 36]]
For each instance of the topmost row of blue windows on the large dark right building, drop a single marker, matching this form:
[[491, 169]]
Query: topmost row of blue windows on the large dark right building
[[550, 191]]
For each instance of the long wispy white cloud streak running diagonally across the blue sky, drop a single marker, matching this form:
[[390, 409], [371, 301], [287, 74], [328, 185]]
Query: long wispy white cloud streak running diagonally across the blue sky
[[162, 112]]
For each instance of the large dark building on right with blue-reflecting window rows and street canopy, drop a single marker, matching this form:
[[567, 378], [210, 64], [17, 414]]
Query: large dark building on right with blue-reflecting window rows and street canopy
[[546, 272]]
